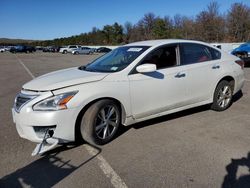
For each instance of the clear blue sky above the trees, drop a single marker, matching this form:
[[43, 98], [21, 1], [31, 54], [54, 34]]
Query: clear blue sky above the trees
[[49, 19]]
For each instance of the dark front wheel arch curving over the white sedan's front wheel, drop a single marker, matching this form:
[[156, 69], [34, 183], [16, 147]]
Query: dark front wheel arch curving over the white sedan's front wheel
[[85, 108]]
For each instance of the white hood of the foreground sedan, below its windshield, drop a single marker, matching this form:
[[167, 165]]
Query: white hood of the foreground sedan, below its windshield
[[63, 78]]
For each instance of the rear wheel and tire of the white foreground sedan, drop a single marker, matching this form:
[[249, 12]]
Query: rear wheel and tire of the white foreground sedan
[[222, 96]]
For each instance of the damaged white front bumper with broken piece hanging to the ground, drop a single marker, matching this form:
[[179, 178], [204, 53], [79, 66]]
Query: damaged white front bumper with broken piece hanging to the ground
[[48, 129]]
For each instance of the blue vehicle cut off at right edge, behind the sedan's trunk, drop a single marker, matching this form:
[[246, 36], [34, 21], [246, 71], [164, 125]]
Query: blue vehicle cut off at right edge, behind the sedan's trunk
[[243, 52]]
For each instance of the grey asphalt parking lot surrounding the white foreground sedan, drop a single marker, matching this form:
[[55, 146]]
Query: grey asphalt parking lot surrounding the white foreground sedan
[[193, 148]]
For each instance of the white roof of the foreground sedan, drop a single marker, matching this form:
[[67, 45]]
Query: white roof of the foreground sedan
[[162, 42]]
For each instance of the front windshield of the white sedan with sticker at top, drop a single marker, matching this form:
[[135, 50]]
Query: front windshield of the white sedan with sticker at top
[[116, 60]]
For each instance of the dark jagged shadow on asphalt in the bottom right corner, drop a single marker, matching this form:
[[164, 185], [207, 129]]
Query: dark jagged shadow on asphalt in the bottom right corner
[[231, 180]]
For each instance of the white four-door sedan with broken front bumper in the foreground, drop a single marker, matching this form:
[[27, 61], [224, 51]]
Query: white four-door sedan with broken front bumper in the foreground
[[132, 83]]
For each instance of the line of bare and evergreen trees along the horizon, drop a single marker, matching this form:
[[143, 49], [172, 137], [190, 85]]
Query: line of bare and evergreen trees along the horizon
[[209, 25]]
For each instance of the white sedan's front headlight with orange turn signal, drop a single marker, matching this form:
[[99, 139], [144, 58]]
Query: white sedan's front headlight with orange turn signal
[[57, 102]]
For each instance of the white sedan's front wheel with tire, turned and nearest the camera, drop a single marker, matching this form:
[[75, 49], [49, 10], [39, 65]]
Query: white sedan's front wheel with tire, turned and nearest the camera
[[100, 122]]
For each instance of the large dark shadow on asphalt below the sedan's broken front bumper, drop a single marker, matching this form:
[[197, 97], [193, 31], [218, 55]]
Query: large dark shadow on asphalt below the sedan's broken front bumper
[[44, 172]]
